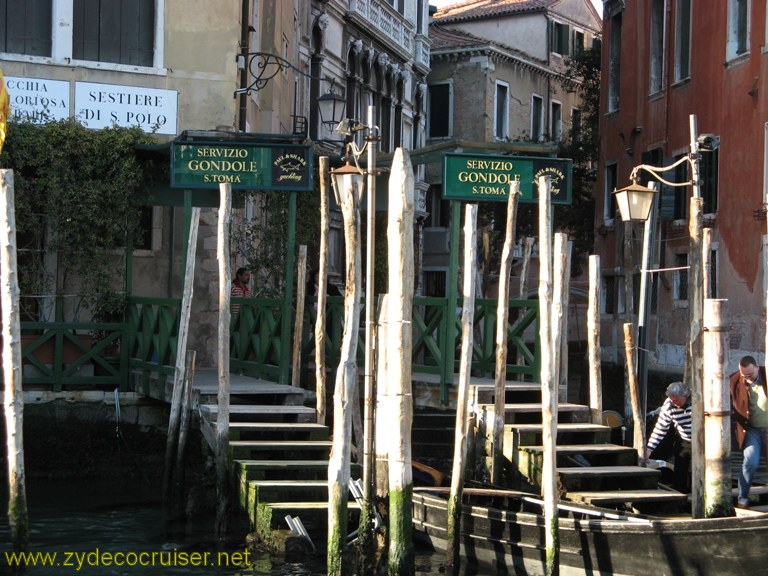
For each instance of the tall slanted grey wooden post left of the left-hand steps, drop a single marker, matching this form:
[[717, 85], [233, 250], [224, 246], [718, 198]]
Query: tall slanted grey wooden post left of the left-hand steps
[[179, 375]]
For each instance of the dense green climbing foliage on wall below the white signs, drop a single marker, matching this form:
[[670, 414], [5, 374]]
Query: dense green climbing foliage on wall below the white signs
[[78, 194]]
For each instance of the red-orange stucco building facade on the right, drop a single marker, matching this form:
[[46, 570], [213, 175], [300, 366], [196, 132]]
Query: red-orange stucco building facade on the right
[[685, 59]]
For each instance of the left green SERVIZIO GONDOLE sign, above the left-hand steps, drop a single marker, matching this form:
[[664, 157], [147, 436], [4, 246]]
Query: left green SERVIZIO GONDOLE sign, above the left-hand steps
[[242, 164]]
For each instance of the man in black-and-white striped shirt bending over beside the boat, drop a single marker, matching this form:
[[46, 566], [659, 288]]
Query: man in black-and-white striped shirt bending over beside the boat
[[675, 412]]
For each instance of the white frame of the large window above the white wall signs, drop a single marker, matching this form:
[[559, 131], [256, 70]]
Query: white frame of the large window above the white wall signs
[[62, 26]]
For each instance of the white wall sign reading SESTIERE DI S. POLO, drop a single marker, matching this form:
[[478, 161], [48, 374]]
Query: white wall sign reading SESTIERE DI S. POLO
[[104, 105]]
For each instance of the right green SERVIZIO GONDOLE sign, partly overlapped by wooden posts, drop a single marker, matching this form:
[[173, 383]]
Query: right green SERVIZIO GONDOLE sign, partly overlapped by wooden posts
[[477, 177]]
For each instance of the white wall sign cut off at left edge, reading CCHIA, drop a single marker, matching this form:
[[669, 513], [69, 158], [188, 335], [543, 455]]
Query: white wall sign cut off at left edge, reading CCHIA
[[37, 99]]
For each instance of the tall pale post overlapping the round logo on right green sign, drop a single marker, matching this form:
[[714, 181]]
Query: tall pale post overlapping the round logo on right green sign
[[548, 382]]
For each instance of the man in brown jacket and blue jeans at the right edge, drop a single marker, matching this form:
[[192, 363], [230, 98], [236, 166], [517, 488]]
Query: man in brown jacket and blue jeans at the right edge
[[749, 402]]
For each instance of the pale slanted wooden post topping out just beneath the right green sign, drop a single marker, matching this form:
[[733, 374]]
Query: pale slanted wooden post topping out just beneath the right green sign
[[453, 546]]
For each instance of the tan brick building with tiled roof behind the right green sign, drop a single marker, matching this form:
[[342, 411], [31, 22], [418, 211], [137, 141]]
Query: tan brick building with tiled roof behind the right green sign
[[498, 86]]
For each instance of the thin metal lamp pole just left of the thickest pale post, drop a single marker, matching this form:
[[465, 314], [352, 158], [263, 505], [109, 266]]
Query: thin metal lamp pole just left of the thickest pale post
[[369, 464]]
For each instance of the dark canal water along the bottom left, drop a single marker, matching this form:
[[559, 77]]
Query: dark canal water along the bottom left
[[106, 529]]
